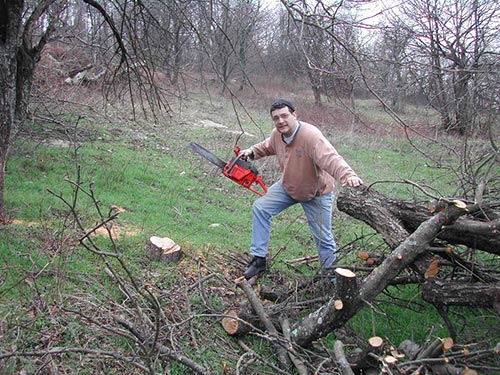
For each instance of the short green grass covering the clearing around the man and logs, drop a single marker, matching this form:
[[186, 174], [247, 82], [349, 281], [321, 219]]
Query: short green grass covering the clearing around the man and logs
[[165, 190]]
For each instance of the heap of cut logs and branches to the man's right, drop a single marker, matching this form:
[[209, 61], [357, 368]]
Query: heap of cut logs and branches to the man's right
[[422, 244]]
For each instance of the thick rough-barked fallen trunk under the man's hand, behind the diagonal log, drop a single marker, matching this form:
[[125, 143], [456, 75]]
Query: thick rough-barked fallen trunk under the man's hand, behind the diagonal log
[[394, 219]]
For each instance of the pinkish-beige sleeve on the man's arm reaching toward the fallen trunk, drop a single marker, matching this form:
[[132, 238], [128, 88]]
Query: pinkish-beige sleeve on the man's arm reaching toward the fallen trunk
[[328, 159]]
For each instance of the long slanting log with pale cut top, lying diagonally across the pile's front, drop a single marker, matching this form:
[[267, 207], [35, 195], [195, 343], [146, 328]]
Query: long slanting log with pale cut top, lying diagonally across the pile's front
[[324, 320]]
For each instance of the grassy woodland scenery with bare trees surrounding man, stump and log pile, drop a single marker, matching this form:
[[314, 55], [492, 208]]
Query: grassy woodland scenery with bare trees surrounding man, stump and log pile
[[100, 99]]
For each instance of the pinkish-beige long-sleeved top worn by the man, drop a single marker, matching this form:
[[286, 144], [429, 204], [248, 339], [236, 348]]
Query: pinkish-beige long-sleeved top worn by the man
[[309, 164]]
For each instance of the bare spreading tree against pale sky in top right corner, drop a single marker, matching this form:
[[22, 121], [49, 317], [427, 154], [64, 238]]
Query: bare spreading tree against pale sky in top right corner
[[452, 45]]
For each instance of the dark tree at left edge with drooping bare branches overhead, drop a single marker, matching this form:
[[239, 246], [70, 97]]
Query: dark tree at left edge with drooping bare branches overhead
[[27, 27]]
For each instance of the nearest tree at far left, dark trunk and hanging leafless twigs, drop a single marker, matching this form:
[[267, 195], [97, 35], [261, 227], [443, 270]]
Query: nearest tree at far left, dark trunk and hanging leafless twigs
[[25, 29]]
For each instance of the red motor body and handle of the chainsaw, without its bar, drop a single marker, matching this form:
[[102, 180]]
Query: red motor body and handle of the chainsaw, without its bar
[[244, 173]]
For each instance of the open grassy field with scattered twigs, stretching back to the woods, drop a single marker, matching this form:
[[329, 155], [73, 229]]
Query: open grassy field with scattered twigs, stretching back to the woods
[[65, 276]]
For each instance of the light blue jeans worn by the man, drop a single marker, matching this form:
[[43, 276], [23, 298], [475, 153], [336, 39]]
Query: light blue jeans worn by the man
[[319, 217]]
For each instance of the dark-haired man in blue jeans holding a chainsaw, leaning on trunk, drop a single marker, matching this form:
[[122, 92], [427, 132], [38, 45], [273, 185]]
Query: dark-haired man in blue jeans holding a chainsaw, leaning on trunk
[[309, 165]]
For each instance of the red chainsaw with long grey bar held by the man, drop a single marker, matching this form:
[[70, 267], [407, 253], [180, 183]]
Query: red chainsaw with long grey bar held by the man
[[237, 169]]
